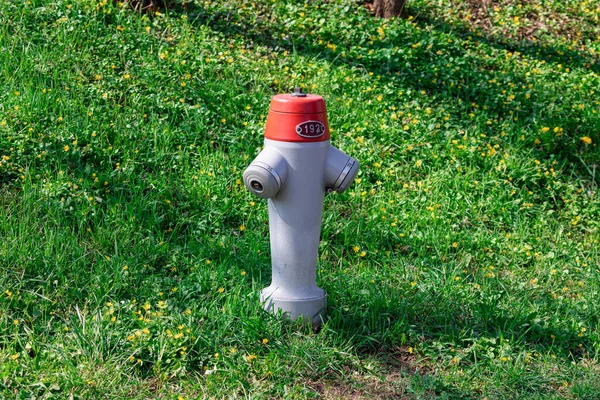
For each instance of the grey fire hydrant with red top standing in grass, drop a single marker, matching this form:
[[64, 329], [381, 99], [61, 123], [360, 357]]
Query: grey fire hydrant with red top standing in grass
[[295, 169]]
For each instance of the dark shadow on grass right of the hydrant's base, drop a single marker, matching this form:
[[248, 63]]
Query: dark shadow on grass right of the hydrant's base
[[385, 317]]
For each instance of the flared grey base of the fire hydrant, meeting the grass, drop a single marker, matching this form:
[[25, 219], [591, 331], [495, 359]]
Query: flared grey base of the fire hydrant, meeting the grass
[[313, 309]]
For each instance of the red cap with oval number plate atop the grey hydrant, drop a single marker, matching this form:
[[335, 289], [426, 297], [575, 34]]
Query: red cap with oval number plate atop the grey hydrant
[[297, 117]]
